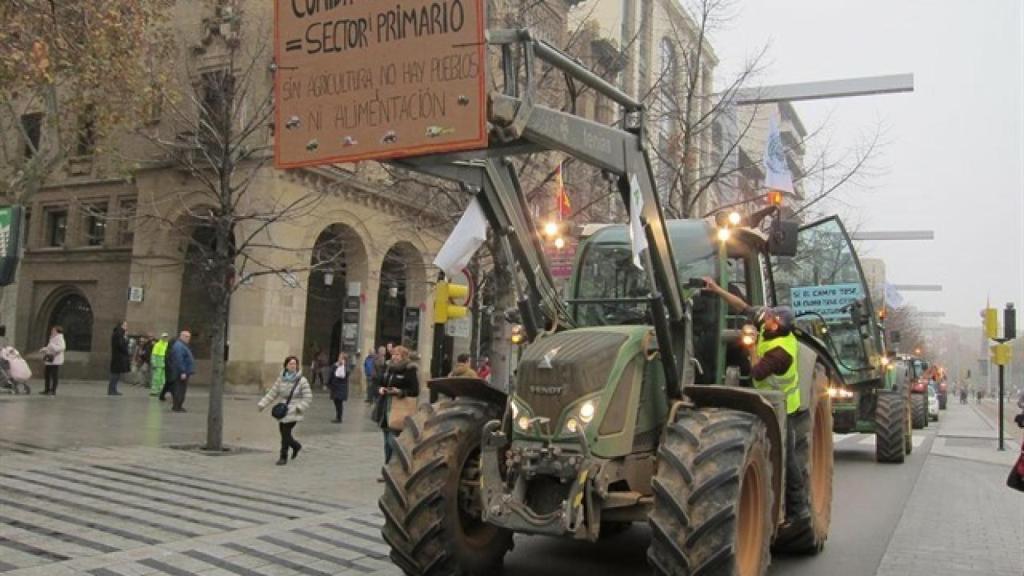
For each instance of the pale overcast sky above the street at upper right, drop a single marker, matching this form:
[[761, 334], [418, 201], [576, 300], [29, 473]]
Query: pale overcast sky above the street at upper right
[[954, 160]]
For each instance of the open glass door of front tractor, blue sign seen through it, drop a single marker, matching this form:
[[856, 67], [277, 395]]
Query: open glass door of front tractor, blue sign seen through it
[[826, 287]]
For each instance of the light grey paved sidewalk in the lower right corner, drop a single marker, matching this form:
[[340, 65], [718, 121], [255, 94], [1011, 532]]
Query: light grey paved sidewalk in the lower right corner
[[961, 518]]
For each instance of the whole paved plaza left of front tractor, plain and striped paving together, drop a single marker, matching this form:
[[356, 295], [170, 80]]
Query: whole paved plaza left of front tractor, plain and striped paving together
[[90, 487]]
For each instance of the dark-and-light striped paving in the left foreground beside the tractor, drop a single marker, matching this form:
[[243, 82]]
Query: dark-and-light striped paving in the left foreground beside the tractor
[[156, 511]]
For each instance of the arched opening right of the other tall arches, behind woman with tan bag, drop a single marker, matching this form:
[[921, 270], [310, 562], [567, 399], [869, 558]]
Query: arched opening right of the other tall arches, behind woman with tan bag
[[401, 300]]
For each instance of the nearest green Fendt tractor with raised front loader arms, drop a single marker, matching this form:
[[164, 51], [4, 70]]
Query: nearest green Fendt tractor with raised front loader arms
[[632, 401]]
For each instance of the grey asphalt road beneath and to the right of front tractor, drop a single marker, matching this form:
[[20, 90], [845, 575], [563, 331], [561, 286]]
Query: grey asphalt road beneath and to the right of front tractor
[[868, 506]]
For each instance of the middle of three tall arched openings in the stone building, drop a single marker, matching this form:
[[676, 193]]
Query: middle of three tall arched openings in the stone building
[[334, 294]]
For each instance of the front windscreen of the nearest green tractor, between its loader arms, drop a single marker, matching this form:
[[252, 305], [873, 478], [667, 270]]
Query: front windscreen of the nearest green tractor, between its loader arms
[[612, 291]]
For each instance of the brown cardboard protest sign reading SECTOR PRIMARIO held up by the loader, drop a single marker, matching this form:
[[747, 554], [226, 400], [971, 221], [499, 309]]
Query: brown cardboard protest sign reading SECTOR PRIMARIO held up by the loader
[[372, 80]]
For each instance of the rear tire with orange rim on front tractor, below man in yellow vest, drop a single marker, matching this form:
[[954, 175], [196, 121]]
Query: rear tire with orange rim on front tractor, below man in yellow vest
[[806, 533]]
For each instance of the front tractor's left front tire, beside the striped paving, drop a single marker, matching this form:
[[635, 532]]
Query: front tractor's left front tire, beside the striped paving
[[432, 502]]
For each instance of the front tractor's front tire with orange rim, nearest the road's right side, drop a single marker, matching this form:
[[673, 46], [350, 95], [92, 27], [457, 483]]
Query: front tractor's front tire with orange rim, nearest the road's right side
[[713, 497]]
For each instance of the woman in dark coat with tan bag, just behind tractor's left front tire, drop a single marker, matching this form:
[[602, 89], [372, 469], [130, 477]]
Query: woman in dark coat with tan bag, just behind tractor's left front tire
[[397, 398]]
